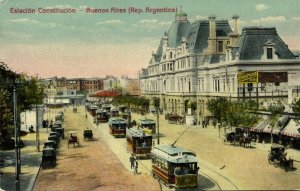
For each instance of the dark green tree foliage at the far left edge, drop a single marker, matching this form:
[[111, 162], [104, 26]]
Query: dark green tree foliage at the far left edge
[[28, 93]]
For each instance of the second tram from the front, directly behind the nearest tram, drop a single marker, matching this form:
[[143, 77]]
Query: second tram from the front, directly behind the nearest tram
[[139, 143]]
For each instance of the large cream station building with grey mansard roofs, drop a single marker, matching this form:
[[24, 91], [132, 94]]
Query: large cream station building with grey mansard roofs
[[208, 58]]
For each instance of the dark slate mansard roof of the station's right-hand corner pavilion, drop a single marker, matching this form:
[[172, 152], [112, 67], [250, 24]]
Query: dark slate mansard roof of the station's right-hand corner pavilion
[[253, 39]]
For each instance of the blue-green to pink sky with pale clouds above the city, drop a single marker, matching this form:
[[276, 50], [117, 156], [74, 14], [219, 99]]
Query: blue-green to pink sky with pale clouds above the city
[[83, 44]]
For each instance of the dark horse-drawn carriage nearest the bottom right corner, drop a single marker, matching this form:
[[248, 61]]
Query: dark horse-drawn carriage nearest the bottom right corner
[[277, 157]]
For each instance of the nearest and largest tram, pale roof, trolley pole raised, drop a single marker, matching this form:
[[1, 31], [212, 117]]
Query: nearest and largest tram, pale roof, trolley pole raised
[[175, 166]]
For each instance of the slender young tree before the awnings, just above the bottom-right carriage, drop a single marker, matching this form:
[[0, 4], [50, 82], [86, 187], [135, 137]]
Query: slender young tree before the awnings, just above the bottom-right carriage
[[275, 110]]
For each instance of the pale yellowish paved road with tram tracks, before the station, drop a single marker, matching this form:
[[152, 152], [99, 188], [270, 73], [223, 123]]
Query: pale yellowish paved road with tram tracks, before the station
[[222, 166]]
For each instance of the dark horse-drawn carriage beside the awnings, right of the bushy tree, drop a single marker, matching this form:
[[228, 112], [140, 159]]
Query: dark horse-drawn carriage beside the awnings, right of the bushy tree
[[239, 136]]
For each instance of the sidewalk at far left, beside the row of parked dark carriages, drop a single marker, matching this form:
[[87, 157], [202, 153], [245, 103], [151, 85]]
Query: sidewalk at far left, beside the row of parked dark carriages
[[30, 164]]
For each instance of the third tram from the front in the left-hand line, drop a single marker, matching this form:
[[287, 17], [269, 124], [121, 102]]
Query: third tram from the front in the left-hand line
[[117, 126]]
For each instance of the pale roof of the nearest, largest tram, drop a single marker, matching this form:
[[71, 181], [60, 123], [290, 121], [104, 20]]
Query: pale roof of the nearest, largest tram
[[174, 154]]
